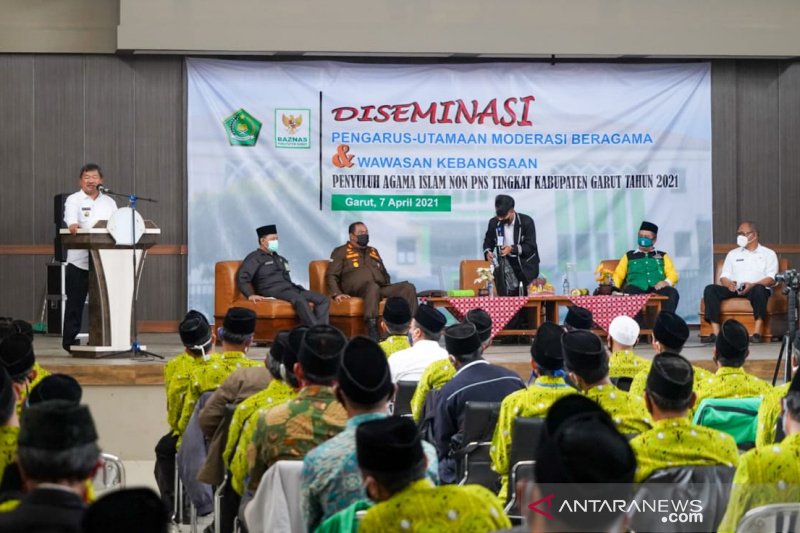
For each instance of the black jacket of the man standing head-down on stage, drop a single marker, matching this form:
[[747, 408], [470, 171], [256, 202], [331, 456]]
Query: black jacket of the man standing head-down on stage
[[524, 258]]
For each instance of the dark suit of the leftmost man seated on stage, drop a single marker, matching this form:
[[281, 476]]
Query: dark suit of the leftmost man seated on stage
[[267, 274]]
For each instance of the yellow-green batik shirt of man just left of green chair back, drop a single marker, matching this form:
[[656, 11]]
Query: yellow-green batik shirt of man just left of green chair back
[[678, 442]]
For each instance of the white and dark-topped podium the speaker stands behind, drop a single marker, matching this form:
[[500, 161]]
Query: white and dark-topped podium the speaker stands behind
[[113, 284]]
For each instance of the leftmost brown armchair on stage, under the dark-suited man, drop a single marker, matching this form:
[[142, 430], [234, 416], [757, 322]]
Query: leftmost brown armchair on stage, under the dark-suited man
[[271, 315]]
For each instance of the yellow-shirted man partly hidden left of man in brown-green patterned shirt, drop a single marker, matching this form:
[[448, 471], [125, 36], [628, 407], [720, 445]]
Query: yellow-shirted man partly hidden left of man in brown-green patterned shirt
[[280, 390]]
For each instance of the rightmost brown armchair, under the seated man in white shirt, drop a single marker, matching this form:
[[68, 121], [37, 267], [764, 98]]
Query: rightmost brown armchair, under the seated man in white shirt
[[776, 321]]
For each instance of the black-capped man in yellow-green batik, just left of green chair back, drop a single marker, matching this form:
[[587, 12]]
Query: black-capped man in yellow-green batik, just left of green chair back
[[673, 439]]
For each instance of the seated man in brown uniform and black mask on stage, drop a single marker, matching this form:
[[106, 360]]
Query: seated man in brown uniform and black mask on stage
[[357, 270]]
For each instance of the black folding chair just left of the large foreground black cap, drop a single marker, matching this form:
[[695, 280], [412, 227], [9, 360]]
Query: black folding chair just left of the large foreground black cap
[[525, 438]]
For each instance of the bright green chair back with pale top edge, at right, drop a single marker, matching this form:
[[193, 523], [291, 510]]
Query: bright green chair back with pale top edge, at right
[[735, 416]]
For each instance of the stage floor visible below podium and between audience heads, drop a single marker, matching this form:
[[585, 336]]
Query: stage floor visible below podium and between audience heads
[[127, 371]]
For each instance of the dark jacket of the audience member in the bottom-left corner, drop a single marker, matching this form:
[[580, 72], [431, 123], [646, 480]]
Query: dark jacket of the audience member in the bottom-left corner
[[45, 511]]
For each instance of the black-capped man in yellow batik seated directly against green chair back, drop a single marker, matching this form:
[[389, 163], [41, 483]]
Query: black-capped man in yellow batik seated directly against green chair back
[[731, 380]]
